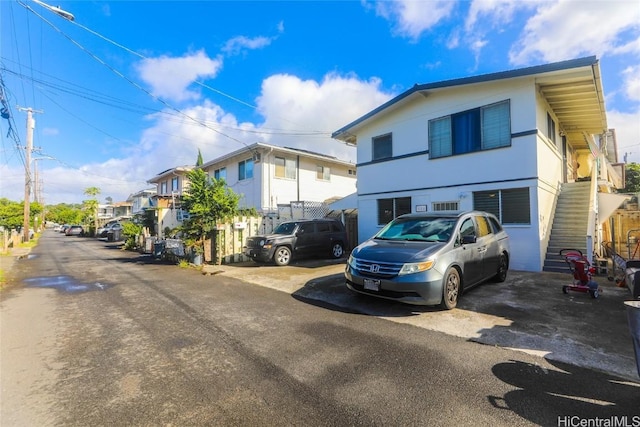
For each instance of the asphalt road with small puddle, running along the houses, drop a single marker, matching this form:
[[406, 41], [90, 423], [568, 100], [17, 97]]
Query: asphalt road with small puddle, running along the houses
[[92, 335]]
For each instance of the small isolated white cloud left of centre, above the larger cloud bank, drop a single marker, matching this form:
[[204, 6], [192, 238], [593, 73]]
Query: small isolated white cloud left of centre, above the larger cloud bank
[[170, 77]]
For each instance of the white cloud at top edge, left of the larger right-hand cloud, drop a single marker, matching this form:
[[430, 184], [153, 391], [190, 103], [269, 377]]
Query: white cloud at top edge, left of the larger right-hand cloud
[[411, 18]]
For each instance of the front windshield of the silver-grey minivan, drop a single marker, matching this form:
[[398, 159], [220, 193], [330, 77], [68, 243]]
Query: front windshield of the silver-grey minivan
[[425, 229]]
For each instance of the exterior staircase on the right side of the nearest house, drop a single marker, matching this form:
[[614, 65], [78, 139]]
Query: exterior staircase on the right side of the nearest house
[[570, 224]]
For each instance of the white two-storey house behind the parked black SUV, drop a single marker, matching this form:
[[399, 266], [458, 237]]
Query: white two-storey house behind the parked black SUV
[[284, 181]]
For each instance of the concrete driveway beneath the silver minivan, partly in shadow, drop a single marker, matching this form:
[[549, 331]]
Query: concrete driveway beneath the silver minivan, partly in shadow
[[527, 312]]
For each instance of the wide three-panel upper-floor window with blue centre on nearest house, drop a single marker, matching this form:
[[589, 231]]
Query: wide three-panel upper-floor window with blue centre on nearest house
[[479, 129]]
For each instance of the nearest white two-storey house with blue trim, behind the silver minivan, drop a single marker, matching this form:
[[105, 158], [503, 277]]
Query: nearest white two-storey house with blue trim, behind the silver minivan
[[524, 144]]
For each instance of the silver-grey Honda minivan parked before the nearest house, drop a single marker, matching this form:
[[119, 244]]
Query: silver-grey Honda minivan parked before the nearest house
[[430, 258]]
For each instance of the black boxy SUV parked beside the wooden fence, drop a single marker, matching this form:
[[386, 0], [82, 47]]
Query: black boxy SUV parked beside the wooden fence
[[302, 238]]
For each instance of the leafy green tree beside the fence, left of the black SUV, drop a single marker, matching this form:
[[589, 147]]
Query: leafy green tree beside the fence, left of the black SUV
[[208, 201]]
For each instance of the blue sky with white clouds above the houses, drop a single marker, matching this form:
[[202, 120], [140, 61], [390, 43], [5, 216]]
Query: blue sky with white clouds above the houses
[[131, 88]]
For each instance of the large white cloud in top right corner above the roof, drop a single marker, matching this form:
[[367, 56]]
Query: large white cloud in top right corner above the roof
[[569, 29]]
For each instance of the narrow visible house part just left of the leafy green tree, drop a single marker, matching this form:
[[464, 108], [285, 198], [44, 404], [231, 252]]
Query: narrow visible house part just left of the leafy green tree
[[170, 185]]
